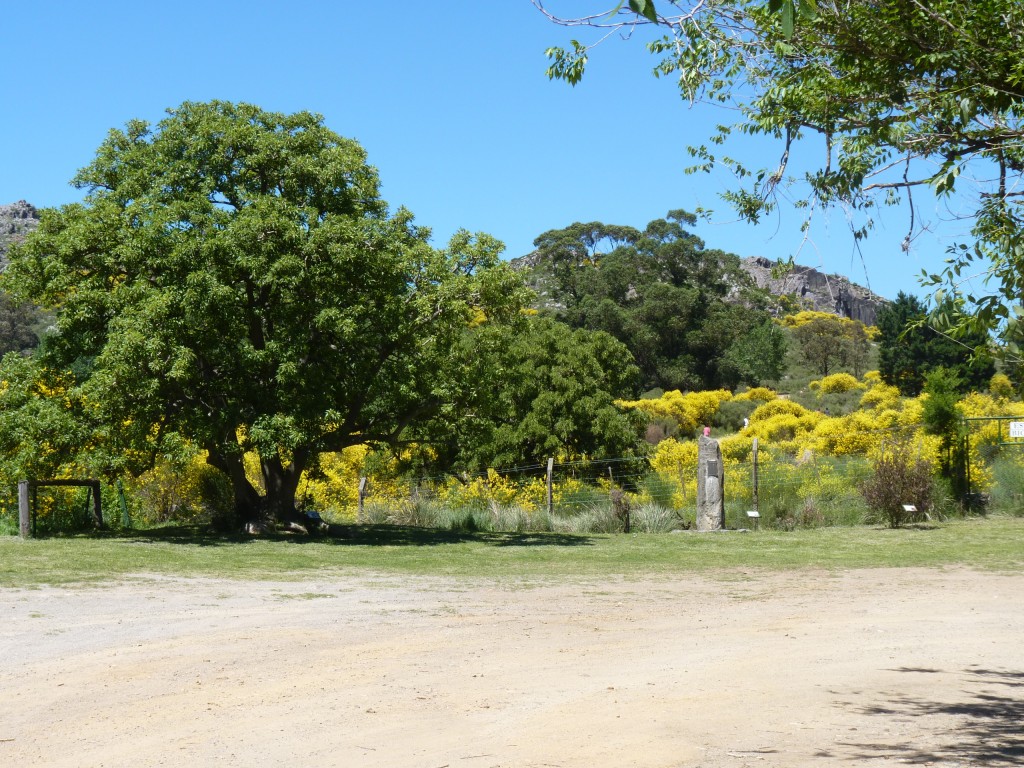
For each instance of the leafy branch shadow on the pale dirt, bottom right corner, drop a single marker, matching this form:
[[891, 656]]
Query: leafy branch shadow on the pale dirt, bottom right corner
[[988, 731]]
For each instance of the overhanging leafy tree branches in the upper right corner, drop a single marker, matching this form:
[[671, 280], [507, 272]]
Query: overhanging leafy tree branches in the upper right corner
[[897, 99]]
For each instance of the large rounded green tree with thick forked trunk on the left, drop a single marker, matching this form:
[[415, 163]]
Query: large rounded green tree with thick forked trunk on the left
[[233, 279]]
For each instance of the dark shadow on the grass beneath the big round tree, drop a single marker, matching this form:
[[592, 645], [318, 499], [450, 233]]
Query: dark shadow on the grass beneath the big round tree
[[349, 536]]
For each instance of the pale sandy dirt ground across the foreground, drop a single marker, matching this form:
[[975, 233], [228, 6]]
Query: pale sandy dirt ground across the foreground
[[863, 668]]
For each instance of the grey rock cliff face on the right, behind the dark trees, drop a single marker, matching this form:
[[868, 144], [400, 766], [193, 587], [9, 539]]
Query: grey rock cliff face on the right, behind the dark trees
[[814, 290]]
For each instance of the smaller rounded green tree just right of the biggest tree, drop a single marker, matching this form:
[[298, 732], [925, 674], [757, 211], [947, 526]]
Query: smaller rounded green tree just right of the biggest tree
[[545, 391]]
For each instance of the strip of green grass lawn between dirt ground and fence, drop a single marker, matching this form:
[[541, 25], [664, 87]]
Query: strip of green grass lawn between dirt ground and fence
[[992, 543]]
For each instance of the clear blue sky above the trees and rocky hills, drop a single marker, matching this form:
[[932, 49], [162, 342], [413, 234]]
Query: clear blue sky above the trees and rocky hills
[[450, 101]]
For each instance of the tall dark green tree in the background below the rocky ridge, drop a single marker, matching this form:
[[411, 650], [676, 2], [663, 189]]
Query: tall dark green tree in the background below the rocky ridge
[[662, 294]]
